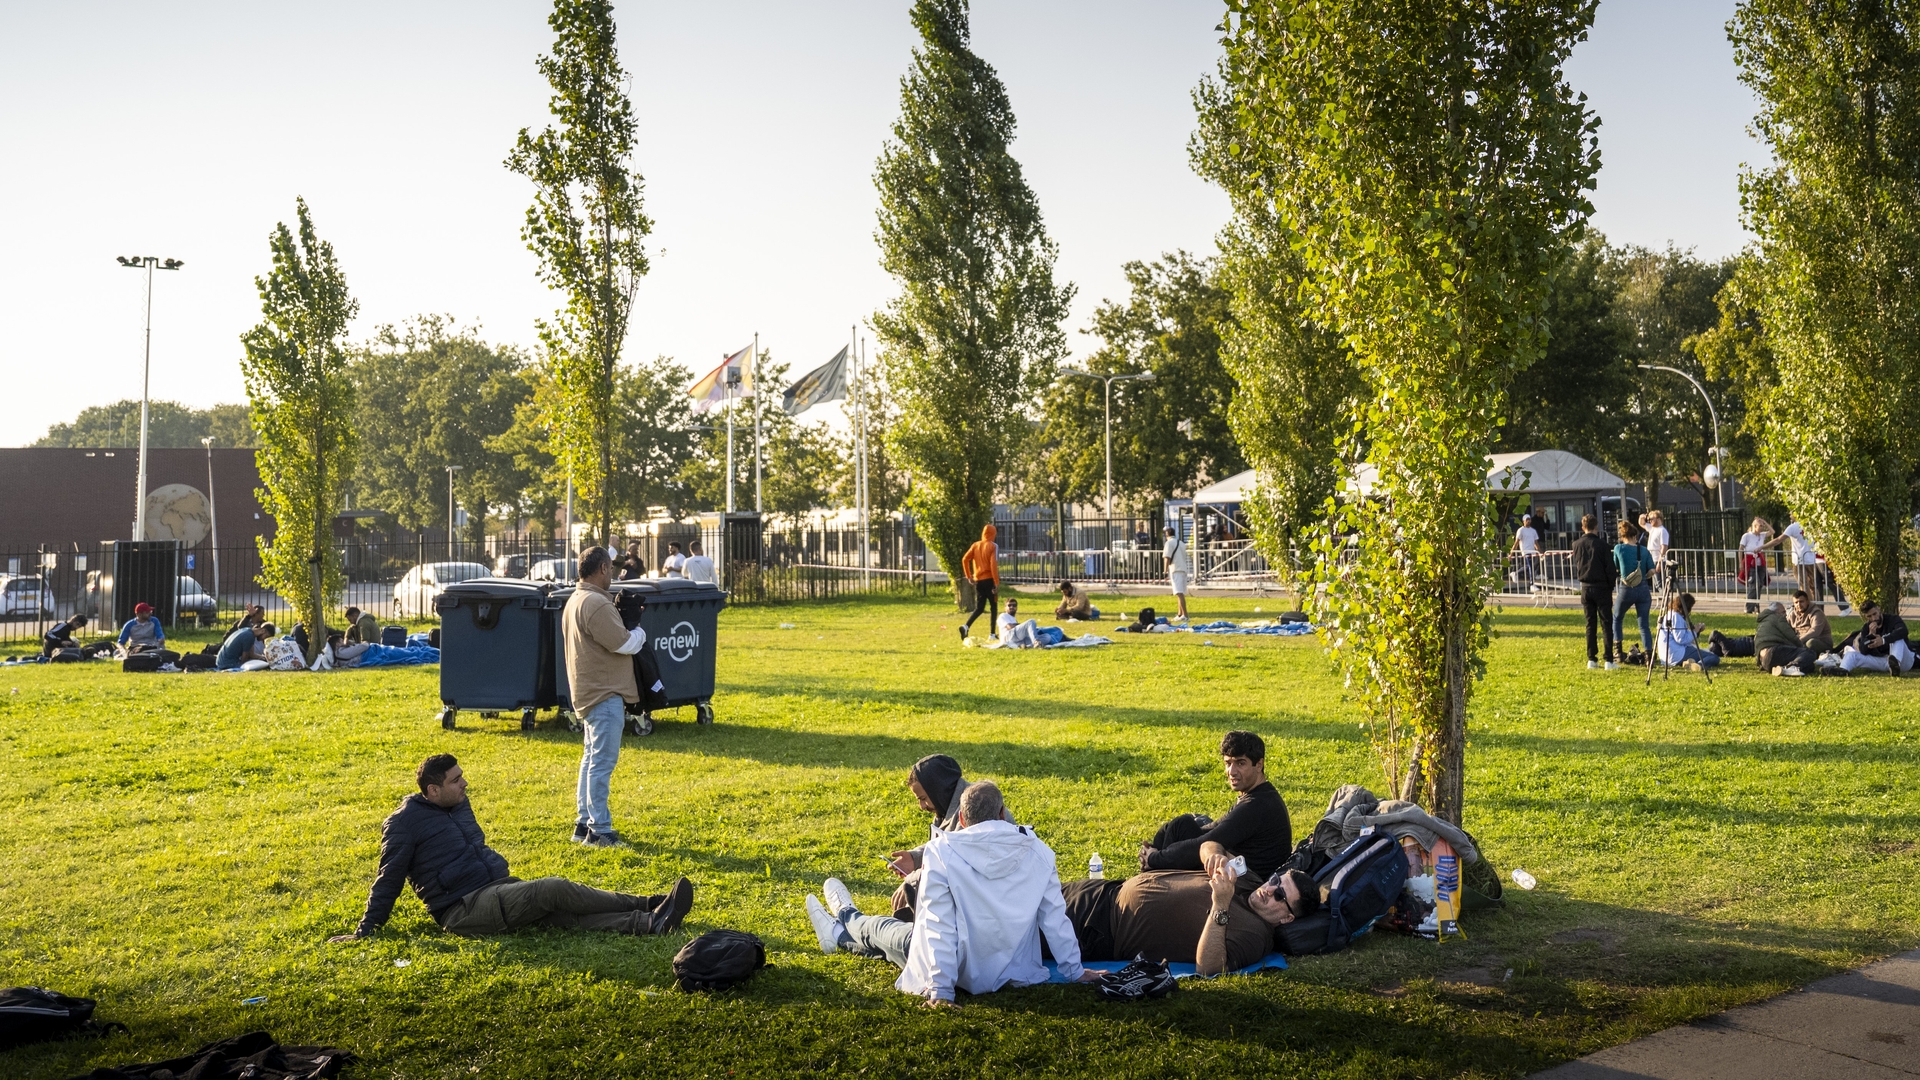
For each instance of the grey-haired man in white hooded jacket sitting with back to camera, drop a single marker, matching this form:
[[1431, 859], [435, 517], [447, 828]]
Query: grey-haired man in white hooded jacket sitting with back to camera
[[988, 895]]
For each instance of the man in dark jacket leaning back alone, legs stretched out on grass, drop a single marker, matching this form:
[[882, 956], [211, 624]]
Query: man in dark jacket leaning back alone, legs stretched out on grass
[[435, 845]]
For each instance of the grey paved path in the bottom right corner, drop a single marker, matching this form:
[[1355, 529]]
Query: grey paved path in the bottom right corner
[[1863, 1025]]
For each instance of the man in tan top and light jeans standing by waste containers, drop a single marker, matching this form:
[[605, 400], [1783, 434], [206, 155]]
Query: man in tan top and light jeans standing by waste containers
[[600, 675]]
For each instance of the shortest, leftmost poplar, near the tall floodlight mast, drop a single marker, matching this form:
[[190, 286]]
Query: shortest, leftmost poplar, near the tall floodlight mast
[[297, 381]]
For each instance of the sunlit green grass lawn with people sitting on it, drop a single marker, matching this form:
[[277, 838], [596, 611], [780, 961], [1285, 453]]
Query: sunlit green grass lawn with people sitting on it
[[178, 845]]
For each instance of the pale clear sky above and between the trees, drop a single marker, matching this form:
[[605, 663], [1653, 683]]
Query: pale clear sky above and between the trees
[[189, 130]]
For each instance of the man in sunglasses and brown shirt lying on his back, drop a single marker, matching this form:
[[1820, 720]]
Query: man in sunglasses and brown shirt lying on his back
[[1199, 918]]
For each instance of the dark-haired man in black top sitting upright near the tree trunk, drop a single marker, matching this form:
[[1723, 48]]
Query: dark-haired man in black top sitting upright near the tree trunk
[[1255, 827]]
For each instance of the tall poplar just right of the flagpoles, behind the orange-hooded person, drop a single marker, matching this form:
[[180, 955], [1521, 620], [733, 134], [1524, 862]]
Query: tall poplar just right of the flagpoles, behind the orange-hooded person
[[974, 333]]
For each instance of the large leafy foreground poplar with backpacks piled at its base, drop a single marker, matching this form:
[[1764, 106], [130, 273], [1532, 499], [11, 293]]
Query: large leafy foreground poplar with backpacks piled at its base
[[1428, 164]]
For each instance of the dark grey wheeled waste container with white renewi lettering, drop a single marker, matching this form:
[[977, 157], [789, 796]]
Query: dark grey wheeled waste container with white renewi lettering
[[683, 631]]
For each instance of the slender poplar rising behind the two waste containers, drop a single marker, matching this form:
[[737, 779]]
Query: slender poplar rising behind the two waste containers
[[588, 230]]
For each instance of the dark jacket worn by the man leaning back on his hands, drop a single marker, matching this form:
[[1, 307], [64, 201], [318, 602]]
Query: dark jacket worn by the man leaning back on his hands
[[441, 852]]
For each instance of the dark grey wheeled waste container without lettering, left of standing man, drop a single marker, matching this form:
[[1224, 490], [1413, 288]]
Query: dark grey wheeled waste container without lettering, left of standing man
[[496, 649]]
